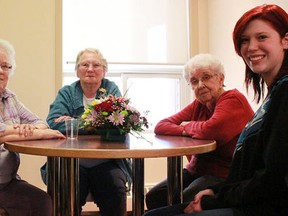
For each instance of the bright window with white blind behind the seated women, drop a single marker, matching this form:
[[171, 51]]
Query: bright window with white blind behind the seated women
[[144, 41]]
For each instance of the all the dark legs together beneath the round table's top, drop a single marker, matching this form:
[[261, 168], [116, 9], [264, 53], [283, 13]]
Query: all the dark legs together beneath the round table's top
[[63, 184]]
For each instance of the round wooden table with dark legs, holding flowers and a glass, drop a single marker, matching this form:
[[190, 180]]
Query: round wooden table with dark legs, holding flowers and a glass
[[63, 163]]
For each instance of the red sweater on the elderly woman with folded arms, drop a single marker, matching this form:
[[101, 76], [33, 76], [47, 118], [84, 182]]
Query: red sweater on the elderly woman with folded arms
[[224, 124]]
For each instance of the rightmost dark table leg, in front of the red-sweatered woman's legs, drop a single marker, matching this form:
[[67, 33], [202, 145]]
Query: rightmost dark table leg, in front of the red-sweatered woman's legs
[[174, 178]]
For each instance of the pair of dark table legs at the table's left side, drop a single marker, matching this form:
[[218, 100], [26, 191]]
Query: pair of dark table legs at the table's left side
[[63, 185]]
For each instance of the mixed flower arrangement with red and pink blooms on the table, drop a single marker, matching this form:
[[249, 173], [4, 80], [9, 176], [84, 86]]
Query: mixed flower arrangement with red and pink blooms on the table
[[112, 117]]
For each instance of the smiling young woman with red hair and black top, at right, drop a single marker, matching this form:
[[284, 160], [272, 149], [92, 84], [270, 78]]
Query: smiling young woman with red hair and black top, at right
[[258, 179]]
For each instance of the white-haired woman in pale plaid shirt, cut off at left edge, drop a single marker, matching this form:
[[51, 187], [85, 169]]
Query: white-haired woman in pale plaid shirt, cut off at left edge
[[17, 197]]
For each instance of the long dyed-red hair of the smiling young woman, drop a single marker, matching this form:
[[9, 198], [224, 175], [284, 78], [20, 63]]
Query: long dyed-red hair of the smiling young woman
[[278, 19]]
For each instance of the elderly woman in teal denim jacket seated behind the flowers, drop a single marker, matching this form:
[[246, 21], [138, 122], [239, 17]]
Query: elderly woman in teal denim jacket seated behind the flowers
[[105, 179]]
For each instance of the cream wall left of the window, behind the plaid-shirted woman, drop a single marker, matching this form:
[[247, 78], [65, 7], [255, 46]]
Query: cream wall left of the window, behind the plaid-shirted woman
[[30, 26]]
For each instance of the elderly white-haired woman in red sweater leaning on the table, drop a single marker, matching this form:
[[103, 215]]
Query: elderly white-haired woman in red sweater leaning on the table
[[215, 114]]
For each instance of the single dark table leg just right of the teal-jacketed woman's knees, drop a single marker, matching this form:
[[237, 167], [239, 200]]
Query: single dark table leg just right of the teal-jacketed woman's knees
[[138, 186]]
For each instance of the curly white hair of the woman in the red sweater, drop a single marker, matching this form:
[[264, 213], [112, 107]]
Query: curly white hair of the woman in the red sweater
[[203, 60]]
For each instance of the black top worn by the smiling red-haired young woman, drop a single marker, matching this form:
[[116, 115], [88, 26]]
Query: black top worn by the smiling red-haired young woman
[[258, 180]]
